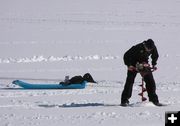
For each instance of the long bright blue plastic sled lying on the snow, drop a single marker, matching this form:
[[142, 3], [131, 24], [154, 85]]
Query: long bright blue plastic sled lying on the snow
[[26, 85]]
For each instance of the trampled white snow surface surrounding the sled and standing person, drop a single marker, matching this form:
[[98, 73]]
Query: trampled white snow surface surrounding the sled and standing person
[[45, 40]]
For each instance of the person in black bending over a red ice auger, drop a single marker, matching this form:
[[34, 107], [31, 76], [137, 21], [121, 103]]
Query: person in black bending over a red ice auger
[[139, 54]]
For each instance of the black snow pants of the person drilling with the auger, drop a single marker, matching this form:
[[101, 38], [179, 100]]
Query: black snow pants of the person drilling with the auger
[[150, 87]]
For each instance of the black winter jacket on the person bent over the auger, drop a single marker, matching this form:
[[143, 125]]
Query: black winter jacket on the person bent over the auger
[[138, 53]]
